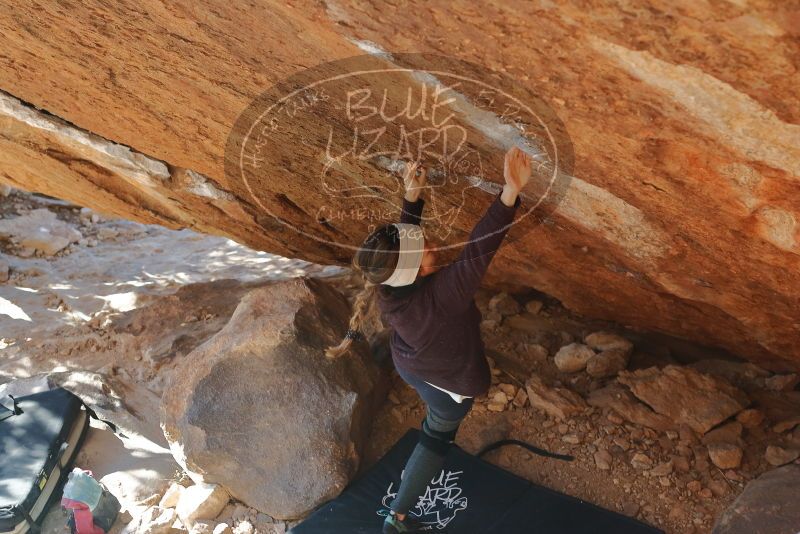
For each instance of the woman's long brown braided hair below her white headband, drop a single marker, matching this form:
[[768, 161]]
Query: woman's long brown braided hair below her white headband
[[375, 259]]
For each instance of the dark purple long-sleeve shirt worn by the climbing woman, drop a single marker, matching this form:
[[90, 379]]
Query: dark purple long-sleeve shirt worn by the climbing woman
[[436, 324]]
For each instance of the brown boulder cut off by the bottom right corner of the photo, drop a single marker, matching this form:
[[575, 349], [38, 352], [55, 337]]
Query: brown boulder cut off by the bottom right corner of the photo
[[768, 505]]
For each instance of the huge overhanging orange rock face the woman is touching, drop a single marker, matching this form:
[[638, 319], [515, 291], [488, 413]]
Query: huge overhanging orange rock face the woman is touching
[[675, 139]]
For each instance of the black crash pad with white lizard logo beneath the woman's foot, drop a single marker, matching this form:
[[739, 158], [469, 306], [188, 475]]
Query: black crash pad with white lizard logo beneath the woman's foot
[[469, 496]]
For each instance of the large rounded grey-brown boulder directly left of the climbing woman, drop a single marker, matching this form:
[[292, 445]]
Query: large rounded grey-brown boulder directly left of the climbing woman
[[260, 410]]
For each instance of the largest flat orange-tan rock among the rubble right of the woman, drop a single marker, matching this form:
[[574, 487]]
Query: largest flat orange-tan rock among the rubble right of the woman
[[686, 396]]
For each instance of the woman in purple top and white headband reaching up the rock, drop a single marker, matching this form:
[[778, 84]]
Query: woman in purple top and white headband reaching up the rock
[[435, 343]]
